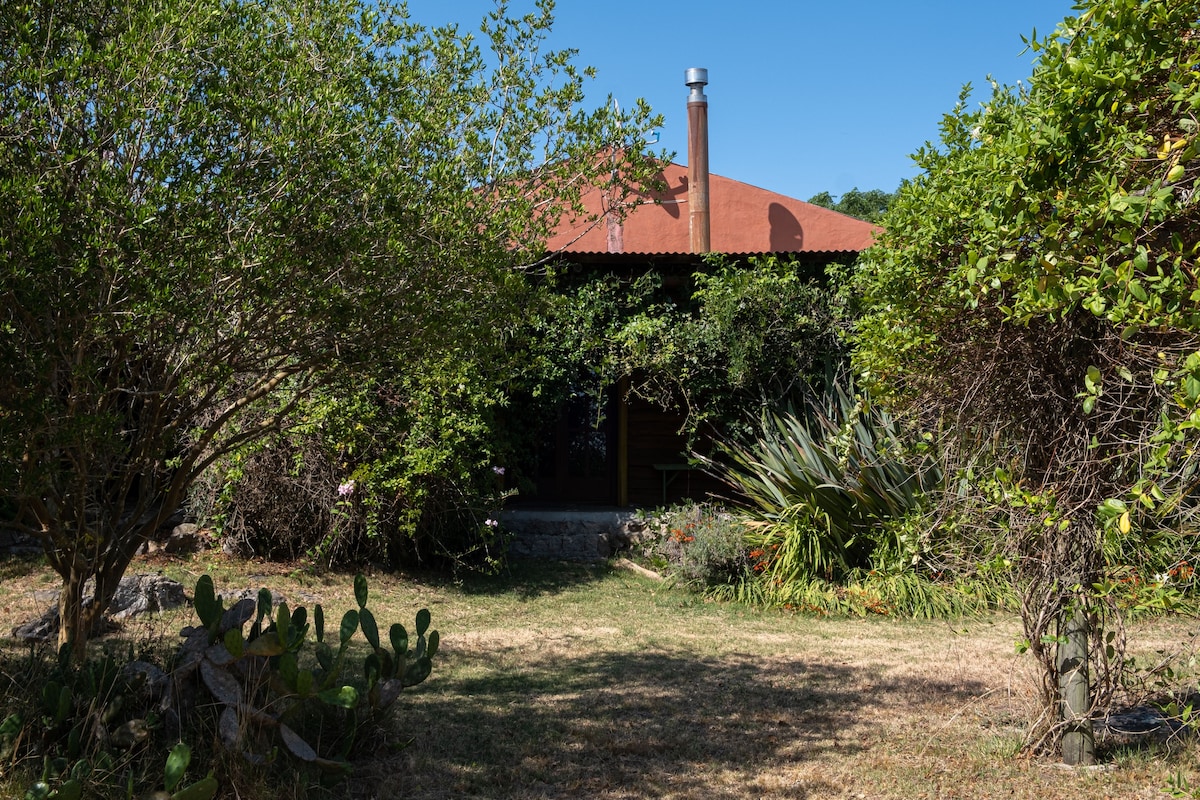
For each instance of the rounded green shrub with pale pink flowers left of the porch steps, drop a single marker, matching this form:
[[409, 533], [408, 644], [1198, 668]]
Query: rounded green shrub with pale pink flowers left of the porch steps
[[399, 470]]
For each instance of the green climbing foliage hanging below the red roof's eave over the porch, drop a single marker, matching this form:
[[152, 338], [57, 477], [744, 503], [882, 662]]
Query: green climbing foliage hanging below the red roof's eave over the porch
[[719, 345]]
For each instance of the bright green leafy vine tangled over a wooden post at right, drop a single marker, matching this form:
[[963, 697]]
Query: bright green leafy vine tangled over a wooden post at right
[[1035, 296]]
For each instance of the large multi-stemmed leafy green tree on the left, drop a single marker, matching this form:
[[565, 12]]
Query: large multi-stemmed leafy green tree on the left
[[209, 209]]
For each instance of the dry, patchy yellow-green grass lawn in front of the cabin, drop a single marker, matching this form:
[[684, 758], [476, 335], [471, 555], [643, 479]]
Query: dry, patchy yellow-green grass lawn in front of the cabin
[[572, 682]]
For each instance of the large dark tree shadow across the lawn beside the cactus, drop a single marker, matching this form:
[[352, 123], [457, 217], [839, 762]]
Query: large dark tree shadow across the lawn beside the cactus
[[628, 725]]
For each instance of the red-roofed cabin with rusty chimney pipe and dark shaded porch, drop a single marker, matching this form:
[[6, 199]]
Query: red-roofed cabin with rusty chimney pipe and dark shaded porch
[[637, 458]]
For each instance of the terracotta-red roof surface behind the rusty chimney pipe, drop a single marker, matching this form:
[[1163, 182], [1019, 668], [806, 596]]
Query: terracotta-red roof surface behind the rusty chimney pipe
[[743, 220]]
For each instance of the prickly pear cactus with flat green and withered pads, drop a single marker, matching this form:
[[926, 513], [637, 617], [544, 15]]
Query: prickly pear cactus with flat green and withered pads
[[272, 688]]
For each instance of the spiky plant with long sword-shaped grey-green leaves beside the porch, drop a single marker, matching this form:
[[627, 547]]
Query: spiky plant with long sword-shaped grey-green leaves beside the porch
[[818, 485]]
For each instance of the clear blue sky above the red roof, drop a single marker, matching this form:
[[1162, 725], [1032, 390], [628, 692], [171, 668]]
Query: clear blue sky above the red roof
[[803, 97]]
